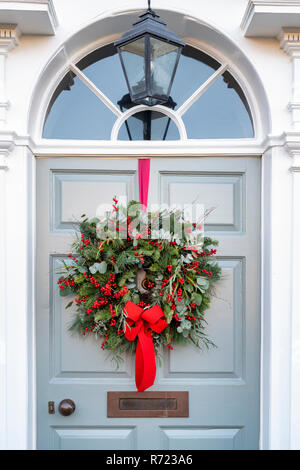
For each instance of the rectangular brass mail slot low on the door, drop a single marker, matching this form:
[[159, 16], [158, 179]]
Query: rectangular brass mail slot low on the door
[[147, 404]]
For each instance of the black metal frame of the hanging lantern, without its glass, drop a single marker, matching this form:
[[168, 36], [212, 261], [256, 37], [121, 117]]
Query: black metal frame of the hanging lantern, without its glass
[[149, 27]]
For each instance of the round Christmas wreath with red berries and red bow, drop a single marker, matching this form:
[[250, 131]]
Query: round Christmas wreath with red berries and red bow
[[141, 282]]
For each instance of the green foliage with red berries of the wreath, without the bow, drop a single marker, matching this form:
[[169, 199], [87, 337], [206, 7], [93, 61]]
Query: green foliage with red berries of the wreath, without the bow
[[104, 277]]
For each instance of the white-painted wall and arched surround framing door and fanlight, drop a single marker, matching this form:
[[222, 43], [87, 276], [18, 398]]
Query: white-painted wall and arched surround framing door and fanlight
[[33, 68]]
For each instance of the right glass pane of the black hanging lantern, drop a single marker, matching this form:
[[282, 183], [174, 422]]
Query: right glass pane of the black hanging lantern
[[163, 62]]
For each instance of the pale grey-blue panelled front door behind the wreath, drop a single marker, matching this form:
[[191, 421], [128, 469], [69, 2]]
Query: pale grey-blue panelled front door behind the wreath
[[223, 383]]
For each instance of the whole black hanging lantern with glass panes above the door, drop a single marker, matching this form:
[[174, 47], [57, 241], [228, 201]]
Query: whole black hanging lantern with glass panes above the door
[[149, 55]]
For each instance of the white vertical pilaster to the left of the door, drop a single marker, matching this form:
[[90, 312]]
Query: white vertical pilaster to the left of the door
[[16, 203]]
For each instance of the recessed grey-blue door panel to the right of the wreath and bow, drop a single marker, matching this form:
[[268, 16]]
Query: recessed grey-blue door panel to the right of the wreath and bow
[[225, 325]]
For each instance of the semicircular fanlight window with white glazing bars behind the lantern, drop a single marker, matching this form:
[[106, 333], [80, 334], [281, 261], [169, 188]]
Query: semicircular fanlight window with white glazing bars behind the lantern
[[92, 103]]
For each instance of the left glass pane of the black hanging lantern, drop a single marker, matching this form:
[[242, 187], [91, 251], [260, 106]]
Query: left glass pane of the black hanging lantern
[[133, 58]]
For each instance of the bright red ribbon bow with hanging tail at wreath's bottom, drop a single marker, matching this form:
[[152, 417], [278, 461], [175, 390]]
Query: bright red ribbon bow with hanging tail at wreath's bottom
[[141, 323]]
